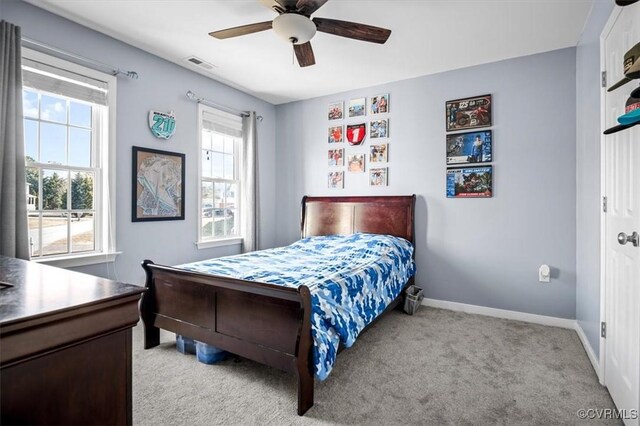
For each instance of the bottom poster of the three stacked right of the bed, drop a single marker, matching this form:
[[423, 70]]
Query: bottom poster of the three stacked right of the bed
[[470, 182]]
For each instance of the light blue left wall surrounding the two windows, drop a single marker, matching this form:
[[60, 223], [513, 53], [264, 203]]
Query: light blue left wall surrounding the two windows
[[162, 85]]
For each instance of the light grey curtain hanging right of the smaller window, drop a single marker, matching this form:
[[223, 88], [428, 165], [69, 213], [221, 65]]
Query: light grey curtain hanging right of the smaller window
[[250, 183]]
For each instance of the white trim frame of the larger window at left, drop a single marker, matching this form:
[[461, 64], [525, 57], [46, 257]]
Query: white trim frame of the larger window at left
[[105, 181]]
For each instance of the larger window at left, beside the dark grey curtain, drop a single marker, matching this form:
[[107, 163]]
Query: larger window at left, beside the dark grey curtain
[[67, 119]]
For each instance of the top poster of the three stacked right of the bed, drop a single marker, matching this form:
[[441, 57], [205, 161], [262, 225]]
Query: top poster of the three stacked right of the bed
[[468, 113]]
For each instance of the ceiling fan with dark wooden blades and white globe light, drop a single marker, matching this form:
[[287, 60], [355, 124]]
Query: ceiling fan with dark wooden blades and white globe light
[[295, 25]]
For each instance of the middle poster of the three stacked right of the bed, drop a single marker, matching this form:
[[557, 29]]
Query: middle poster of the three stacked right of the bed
[[470, 147]]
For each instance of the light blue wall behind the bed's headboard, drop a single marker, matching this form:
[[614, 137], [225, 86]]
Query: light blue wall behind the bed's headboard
[[482, 252]]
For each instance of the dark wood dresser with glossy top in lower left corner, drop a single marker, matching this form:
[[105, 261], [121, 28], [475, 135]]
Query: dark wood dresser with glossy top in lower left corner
[[65, 346]]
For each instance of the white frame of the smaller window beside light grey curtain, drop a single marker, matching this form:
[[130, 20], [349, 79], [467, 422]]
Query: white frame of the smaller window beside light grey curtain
[[202, 243]]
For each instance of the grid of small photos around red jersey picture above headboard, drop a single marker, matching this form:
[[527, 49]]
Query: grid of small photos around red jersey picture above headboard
[[358, 135]]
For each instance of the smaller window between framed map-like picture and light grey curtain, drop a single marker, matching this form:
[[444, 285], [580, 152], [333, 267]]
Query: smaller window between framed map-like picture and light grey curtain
[[220, 182]]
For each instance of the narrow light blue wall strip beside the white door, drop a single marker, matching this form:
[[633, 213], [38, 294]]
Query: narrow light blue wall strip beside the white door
[[588, 143]]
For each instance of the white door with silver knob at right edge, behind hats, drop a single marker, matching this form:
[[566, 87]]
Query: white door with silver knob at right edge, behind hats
[[622, 219]]
